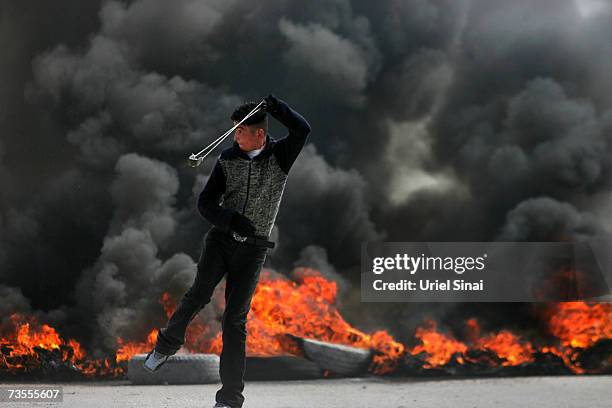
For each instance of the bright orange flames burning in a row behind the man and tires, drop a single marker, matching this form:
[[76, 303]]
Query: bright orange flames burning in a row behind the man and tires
[[307, 307]]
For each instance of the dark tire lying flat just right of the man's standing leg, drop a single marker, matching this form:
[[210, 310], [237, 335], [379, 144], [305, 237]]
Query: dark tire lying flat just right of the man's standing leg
[[280, 368]]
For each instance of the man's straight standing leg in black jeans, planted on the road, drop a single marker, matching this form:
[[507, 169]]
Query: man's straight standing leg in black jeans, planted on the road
[[241, 281]]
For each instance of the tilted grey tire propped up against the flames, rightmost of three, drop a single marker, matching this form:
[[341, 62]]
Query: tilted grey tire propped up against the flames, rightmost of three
[[339, 359]]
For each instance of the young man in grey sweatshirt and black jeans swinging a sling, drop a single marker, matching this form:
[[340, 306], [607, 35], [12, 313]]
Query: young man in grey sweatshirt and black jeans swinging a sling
[[241, 199]]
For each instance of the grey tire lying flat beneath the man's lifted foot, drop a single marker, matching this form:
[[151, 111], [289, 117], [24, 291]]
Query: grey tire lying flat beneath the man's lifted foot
[[179, 369]]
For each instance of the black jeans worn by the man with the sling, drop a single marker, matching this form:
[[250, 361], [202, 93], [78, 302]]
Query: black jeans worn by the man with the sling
[[242, 263]]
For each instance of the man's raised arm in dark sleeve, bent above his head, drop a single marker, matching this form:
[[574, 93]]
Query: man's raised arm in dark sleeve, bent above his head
[[288, 148]]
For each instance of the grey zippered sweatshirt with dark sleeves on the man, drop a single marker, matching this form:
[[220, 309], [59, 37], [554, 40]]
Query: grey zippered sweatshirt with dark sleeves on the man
[[254, 187]]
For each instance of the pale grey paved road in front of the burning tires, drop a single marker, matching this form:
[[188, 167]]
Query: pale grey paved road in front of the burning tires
[[540, 392]]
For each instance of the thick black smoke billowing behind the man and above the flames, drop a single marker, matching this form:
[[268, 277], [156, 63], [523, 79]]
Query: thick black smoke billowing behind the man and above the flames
[[432, 120]]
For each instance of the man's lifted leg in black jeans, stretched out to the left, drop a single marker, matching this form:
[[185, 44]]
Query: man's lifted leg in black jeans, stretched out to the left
[[211, 268]]
